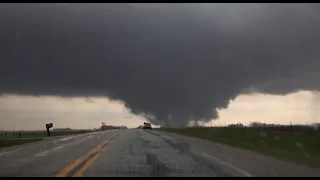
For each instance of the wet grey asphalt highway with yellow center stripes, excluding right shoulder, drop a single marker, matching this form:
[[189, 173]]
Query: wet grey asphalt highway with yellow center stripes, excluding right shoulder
[[132, 152]]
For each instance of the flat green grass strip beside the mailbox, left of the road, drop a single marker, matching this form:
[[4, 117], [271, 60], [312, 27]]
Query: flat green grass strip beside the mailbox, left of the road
[[12, 138]]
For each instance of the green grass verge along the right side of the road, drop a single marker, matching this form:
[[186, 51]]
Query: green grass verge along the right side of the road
[[298, 147]]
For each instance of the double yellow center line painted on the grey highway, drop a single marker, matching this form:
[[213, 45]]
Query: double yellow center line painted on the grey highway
[[69, 168]]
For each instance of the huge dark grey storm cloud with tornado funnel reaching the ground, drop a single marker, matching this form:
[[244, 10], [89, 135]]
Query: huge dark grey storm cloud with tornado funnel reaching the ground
[[182, 59]]
